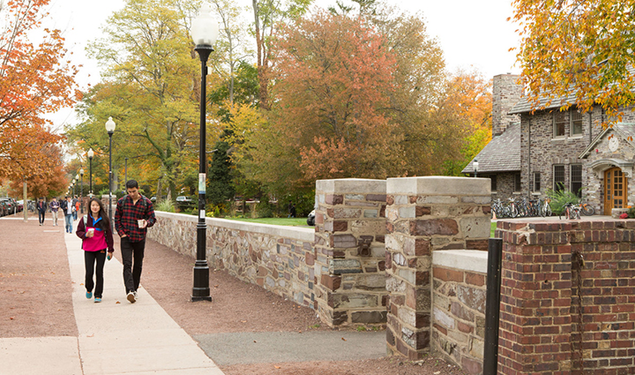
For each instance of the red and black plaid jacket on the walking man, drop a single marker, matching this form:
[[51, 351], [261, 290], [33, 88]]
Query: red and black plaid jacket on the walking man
[[127, 215]]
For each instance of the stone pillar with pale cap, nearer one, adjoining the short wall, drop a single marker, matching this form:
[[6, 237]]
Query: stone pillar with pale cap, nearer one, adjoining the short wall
[[425, 214]]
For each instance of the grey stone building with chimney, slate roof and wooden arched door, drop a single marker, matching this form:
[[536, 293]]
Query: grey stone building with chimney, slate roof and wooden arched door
[[557, 148]]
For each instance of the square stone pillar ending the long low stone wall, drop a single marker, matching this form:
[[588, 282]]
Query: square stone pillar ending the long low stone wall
[[350, 226]]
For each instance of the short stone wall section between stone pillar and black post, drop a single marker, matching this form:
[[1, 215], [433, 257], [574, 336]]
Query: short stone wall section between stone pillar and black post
[[458, 295]]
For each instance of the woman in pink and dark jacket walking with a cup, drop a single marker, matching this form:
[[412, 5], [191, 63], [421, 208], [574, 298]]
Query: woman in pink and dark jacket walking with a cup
[[96, 233]]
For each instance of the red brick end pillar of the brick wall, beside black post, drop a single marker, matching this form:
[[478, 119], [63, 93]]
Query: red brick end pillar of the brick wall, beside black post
[[535, 316]]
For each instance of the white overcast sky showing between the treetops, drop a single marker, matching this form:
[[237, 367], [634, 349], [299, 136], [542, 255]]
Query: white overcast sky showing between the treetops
[[471, 33]]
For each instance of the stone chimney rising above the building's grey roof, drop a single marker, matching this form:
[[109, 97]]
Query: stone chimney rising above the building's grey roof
[[506, 92]]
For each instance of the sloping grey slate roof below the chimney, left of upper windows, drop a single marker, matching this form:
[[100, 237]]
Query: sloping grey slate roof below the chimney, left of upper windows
[[502, 153]]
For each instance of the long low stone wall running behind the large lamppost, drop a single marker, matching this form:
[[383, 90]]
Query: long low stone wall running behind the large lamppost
[[277, 258]]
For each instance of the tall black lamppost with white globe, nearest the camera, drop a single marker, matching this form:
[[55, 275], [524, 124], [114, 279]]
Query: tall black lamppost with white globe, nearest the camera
[[204, 33]]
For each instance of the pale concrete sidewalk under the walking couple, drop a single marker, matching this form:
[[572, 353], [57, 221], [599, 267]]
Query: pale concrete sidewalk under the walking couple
[[115, 336]]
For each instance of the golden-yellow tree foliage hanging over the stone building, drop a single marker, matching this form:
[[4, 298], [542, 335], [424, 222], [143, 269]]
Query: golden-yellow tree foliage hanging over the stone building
[[584, 48]]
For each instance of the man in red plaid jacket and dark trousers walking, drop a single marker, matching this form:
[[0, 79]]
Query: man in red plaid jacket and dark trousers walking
[[133, 216]]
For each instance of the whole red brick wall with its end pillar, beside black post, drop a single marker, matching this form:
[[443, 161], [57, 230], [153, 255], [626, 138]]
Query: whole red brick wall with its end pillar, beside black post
[[567, 297]]
